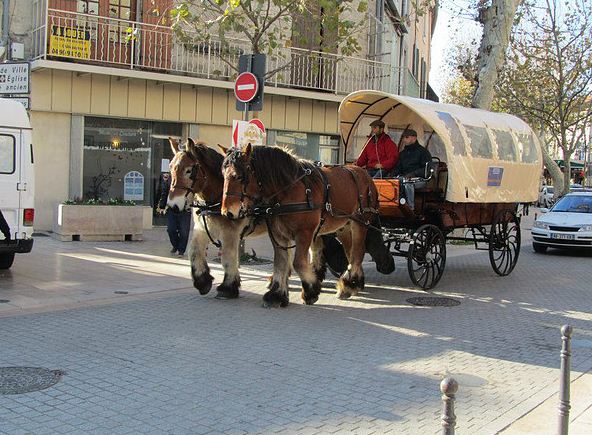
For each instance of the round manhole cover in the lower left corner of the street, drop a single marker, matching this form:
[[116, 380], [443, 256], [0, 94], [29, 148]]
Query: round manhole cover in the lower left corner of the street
[[19, 380]]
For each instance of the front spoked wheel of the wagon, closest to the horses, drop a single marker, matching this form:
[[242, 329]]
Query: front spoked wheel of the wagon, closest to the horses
[[427, 256]]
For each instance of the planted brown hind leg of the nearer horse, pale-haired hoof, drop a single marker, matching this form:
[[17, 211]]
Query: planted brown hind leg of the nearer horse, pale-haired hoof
[[352, 280]]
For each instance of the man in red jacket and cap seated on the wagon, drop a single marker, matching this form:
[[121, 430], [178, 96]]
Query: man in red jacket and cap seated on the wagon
[[380, 154]]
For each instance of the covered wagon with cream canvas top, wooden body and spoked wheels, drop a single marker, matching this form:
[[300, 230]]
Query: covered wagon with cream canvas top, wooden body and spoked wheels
[[483, 166]]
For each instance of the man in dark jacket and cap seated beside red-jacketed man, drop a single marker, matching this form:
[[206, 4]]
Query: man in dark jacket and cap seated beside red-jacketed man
[[412, 163]]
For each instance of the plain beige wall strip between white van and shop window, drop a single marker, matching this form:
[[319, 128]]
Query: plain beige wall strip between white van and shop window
[[51, 142]]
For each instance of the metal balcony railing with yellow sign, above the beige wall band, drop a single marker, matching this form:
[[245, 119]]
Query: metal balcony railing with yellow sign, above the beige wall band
[[82, 38]]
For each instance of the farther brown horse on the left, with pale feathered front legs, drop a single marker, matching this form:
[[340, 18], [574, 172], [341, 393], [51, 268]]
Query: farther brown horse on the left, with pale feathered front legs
[[196, 174]]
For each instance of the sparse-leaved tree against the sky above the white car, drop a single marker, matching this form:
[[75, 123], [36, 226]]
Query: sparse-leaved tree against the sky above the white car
[[548, 79]]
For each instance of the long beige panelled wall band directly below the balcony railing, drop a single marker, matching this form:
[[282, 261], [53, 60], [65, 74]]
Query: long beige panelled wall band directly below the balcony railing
[[104, 95]]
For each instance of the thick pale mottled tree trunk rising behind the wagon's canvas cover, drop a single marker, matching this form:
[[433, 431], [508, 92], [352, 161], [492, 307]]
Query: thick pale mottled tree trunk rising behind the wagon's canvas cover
[[497, 20]]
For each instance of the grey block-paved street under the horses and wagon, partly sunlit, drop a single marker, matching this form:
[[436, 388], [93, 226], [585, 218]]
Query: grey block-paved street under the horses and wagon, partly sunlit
[[163, 359]]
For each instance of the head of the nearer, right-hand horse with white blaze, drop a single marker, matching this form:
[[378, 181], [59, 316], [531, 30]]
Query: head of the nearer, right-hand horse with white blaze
[[240, 185]]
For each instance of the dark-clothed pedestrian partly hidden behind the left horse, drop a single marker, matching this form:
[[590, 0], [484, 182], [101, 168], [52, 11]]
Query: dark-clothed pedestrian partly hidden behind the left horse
[[178, 221]]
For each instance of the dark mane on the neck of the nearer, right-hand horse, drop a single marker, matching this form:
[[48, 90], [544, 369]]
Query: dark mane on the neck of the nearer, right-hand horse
[[277, 167]]
